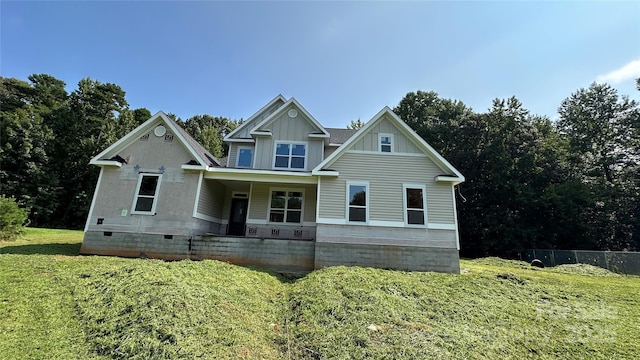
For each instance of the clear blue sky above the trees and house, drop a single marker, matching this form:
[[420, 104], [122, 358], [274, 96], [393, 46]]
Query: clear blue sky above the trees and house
[[342, 61]]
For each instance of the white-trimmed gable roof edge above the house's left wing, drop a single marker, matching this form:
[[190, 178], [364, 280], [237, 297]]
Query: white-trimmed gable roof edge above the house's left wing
[[199, 153]]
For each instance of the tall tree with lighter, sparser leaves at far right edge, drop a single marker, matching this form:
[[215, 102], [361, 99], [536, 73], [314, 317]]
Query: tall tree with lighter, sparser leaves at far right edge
[[601, 129]]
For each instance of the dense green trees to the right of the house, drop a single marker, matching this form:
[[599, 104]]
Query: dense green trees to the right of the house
[[529, 182]]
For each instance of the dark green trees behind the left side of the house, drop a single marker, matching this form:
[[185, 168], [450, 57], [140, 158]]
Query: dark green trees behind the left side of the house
[[48, 136]]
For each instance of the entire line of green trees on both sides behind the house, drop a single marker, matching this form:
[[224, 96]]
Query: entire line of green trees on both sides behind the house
[[572, 183]]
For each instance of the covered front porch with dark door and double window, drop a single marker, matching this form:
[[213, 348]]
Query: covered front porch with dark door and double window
[[257, 204]]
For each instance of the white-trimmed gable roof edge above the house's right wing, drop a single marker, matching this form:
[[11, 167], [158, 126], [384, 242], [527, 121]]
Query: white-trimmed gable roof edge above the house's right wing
[[454, 175]]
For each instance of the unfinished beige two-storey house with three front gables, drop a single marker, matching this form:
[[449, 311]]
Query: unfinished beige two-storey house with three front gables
[[291, 195]]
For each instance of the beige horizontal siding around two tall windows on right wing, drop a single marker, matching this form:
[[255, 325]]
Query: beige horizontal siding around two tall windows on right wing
[[386, 173]]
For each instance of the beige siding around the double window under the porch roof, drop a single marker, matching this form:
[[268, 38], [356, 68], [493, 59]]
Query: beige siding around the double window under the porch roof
[[260, 194]]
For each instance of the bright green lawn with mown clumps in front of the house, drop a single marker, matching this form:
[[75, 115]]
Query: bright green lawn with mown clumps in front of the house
[[55, 304]]
